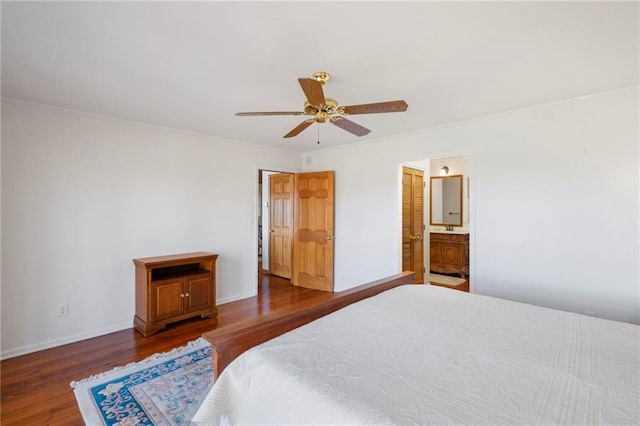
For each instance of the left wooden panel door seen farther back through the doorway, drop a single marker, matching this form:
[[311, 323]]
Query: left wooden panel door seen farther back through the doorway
[[281, 226]]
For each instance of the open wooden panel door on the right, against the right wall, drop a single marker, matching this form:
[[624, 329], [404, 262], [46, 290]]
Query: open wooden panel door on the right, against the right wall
[[313, 232]]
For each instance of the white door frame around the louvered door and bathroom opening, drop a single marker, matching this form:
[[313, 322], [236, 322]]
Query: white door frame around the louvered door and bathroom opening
[[469, 184]]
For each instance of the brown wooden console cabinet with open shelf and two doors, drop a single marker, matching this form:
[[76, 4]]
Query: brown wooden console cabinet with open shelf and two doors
[[172, 288]]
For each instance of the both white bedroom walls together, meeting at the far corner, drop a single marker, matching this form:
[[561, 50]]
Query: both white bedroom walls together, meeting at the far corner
[[83, 195]]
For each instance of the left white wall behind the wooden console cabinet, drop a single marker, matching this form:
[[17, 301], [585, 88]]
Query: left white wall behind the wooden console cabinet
[[83, 195]]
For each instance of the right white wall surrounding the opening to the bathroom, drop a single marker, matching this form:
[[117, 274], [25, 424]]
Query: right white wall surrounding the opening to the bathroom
[[542, 182]]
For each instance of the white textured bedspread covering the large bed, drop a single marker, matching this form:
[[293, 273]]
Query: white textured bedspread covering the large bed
[[421, 354]]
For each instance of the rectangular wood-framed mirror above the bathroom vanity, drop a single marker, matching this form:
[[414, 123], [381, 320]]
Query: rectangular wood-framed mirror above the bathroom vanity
[[446, 200]]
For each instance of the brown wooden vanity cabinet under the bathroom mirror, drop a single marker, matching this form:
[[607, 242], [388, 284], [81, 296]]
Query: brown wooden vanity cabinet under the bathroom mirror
[[449, 253]]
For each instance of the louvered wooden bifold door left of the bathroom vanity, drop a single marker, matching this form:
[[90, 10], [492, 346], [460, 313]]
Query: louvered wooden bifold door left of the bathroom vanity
[[413, 222]]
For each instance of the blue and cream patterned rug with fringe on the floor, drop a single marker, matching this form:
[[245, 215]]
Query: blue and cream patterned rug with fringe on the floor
[[164, 389]]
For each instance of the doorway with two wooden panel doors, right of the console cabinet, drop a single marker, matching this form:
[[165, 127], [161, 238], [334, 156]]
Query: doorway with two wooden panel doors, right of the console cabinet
[[295, 231]]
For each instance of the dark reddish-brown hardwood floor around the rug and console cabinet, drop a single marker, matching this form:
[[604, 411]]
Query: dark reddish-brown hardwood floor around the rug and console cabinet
[[35, 387]]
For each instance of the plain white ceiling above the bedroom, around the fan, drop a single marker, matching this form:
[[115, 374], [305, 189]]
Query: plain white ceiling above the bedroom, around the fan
[[192, 65]]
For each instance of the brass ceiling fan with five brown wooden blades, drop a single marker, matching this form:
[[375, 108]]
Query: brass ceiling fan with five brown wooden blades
[[326, 109]]
